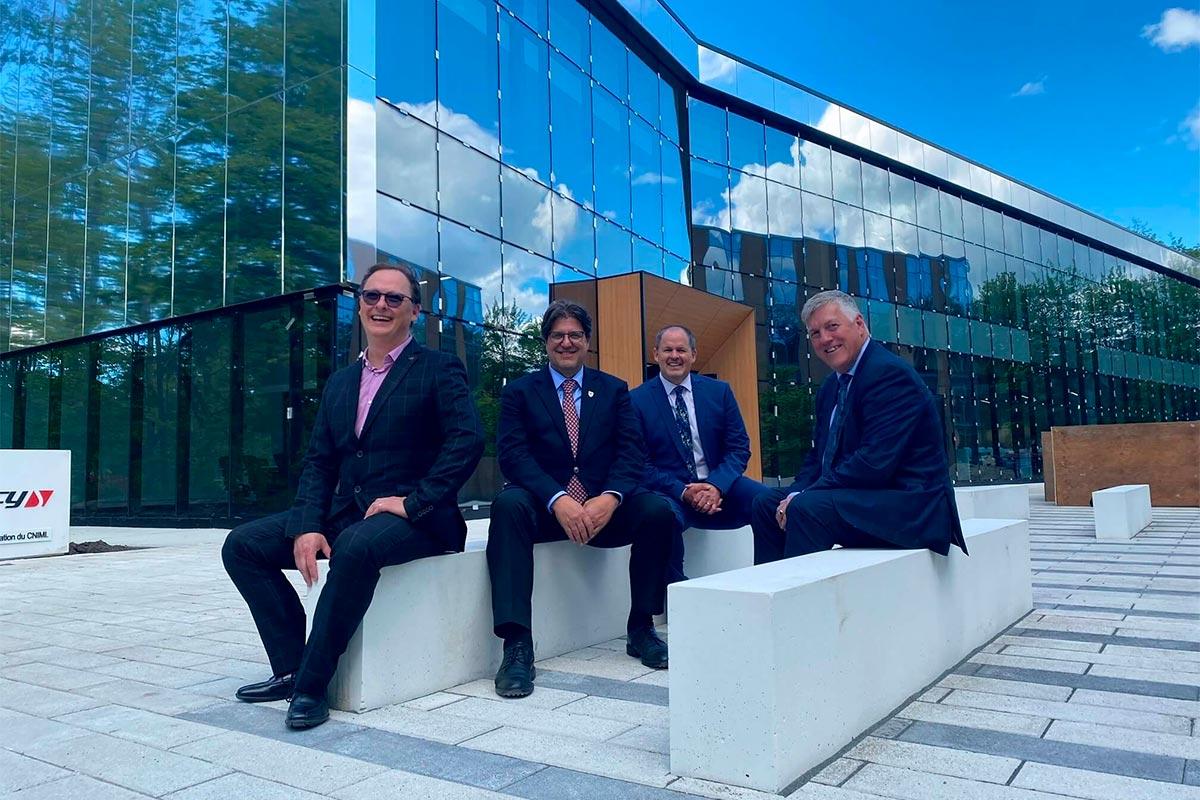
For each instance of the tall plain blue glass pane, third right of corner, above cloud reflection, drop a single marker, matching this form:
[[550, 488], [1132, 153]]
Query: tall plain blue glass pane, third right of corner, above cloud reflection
[[525, 89]]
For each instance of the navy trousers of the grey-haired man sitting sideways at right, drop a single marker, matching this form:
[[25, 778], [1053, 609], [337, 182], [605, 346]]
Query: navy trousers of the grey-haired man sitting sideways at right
[[813, 526]]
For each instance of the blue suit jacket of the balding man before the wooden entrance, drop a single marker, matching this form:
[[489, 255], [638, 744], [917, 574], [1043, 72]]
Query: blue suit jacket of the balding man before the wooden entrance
[[723, 436]]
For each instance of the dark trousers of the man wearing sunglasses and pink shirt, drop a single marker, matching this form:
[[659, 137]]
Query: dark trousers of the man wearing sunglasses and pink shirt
[[256, 552]]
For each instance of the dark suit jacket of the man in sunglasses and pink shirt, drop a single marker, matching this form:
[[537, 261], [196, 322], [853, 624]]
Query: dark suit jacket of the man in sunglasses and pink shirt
[[422, 440]]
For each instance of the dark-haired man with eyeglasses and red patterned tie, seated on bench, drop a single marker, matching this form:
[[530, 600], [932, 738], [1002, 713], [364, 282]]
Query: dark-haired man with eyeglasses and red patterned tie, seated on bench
[[572, 452]]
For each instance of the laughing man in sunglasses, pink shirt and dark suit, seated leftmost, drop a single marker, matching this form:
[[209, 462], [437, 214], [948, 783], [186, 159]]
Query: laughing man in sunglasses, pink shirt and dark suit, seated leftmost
[[395, 438]]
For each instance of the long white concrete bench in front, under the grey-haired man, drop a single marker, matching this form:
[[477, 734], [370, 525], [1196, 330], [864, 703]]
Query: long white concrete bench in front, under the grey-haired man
[[777, 667]]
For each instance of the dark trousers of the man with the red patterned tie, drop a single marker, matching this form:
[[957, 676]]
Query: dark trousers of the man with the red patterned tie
[[519, 522]]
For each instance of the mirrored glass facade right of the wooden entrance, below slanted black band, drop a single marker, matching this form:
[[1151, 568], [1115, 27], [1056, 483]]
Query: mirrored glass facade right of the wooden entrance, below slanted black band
[[1013, 326]]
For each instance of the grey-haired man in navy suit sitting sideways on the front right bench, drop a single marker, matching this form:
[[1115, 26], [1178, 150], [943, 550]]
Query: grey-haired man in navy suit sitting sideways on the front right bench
[[878, 476]]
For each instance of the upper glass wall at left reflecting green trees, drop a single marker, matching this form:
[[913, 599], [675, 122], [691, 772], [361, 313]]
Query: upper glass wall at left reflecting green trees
[[165, 158]]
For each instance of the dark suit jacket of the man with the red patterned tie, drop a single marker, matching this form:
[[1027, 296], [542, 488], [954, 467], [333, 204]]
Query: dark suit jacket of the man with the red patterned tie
[[536, 453]]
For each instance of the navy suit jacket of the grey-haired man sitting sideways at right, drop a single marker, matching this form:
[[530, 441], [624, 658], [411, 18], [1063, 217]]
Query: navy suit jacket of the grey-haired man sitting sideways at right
[[891, 466]]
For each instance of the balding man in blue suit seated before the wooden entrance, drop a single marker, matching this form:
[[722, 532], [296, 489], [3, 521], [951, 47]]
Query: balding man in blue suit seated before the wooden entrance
[[697, 444]]
